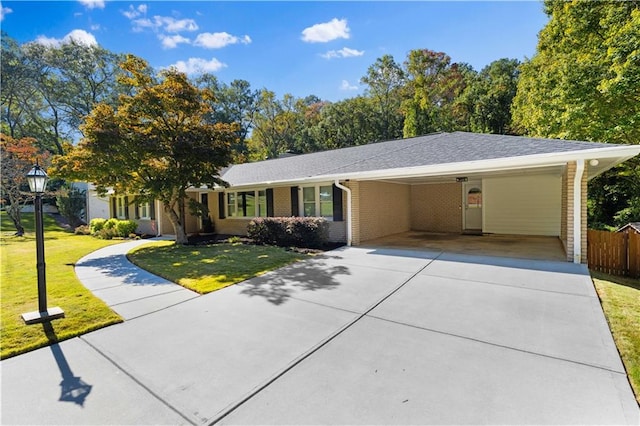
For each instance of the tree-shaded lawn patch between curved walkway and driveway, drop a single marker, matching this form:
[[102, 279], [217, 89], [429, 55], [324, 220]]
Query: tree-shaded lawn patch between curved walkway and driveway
[[209, 268]]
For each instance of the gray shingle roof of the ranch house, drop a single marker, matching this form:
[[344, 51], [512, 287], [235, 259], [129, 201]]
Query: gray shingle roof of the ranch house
[[433, 149]]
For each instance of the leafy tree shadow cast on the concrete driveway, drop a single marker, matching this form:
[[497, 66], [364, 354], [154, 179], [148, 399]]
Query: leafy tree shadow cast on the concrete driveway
[[277, 287]]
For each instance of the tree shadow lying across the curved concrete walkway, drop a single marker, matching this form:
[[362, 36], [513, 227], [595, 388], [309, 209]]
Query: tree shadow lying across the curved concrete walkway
[[119, 266]]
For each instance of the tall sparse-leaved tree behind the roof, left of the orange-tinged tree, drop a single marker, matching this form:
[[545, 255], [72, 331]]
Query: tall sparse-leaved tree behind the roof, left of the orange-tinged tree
[[385, 80]]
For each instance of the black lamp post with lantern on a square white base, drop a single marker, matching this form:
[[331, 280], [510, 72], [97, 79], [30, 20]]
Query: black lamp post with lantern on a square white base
[[38, 179]]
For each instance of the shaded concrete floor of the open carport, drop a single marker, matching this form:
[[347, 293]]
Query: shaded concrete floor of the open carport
[[516, 246]]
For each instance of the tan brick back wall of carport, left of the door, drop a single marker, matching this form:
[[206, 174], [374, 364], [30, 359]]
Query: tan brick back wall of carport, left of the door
[[436, 207]]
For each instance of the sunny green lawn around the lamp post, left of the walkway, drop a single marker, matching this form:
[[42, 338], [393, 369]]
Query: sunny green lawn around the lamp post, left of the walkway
[[19, 292]]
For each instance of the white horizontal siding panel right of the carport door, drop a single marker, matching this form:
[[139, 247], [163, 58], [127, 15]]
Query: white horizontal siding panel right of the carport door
[[527, 205]]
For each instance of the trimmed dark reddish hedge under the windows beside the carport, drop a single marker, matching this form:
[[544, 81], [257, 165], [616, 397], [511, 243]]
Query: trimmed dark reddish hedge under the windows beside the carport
[[307, 232]]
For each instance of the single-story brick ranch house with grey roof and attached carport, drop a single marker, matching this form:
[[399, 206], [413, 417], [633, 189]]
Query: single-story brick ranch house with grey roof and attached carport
[[446, 182]]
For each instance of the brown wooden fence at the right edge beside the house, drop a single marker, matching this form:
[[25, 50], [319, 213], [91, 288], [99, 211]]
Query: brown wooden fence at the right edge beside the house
[[614, 253]]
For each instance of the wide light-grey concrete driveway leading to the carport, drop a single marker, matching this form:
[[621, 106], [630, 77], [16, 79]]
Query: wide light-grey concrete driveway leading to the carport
[[356, 336]]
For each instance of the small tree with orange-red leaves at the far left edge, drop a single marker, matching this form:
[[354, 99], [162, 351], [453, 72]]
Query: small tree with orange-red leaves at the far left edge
[[17, 156]]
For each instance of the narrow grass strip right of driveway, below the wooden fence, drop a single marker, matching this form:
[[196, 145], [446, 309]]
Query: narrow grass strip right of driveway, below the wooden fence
[[620, 299]]
